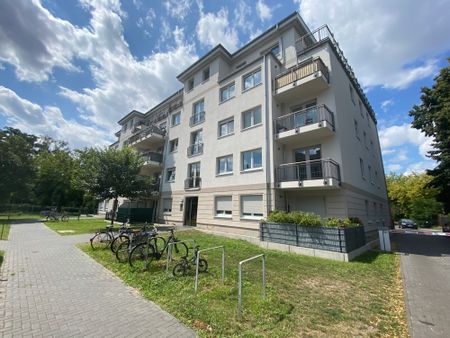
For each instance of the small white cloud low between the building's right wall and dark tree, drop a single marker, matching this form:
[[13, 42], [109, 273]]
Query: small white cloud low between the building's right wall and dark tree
[[399, 135]]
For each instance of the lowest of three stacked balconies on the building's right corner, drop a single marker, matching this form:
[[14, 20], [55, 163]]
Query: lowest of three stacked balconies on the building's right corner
[[316, 174]]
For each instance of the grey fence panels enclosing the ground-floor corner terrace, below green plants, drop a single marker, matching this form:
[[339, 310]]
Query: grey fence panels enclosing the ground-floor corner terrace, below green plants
[[322, 238]]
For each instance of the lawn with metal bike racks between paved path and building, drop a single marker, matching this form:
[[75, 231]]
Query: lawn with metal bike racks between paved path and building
[[306, 296]]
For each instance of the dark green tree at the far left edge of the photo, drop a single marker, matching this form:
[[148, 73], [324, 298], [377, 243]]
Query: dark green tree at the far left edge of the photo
[[17, 164]]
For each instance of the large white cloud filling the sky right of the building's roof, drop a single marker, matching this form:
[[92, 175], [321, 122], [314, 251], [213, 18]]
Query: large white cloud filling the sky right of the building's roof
[[388, 43]]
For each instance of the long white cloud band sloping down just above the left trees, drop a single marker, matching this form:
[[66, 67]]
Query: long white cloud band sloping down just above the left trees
[[49, 120]]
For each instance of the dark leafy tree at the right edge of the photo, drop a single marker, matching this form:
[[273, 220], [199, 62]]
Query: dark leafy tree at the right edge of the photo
[[432, 116]]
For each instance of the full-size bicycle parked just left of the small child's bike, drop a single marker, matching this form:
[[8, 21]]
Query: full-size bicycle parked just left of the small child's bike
[[144, 253]]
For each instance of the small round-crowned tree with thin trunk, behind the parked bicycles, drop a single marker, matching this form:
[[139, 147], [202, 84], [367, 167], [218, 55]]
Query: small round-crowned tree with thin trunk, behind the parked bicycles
[[110, 173]]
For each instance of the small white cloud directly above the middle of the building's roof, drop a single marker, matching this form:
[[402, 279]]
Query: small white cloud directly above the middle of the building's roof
[[214, 28]]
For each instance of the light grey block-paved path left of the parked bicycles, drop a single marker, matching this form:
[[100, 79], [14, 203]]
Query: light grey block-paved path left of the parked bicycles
[[49, 288]]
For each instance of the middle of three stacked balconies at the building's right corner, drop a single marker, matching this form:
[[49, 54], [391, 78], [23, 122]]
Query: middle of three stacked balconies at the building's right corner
[[311, 123]]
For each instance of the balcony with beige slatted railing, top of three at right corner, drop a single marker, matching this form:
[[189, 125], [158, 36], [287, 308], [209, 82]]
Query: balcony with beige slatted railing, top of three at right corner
[[303, 80]]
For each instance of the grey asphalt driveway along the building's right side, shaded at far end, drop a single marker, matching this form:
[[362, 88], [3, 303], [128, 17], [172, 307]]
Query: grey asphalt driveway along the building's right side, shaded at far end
[[425, 265]]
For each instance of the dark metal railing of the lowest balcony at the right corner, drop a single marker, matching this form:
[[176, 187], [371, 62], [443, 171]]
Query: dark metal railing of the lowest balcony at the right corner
[[308, 170]]
